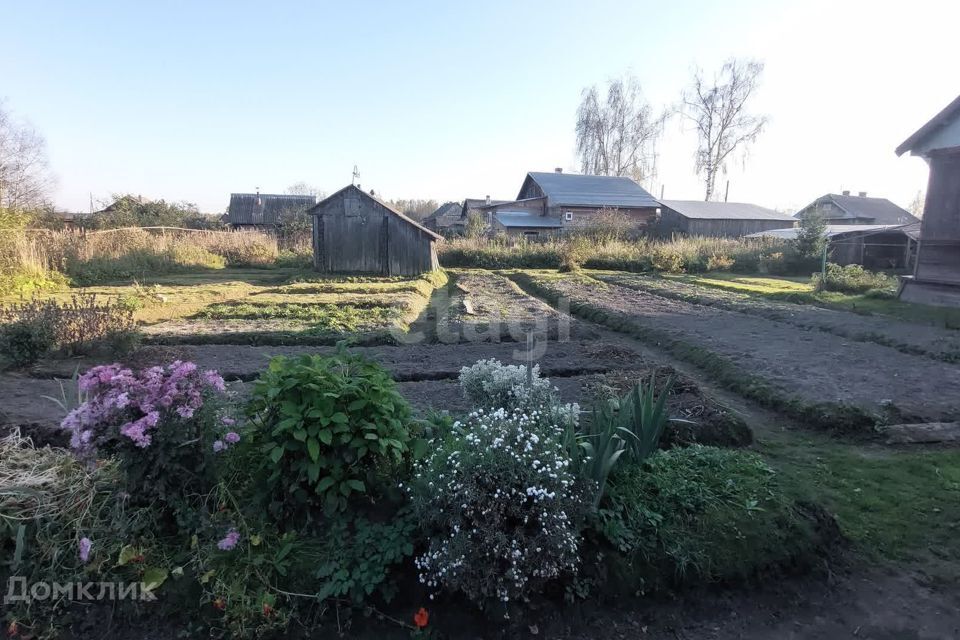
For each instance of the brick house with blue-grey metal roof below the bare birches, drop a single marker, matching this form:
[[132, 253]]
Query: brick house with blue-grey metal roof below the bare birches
[[567, 201]]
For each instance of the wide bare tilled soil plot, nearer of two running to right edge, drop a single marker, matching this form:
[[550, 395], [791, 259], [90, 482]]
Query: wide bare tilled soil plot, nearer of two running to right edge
[[812, 366]]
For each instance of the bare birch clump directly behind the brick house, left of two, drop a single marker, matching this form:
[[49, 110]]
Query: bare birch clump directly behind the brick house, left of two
[[617, 135]]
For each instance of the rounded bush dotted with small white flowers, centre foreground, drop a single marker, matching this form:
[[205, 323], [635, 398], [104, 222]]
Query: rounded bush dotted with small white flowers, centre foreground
[[502, 495]]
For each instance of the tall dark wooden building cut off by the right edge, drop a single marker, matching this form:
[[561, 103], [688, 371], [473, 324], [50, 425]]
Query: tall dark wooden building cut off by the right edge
[[936, 278]]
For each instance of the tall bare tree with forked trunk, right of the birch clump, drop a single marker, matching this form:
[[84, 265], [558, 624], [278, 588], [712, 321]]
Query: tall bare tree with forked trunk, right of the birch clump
[[719, 110]]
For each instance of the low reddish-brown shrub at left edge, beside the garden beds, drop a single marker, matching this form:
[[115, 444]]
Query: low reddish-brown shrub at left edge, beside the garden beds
[[86, 324]]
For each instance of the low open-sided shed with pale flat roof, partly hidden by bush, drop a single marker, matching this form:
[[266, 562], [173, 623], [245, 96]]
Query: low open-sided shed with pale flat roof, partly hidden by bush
[[875, 246]]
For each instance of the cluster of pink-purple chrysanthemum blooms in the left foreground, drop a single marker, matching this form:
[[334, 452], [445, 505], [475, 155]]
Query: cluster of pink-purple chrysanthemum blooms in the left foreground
[[135, 404]]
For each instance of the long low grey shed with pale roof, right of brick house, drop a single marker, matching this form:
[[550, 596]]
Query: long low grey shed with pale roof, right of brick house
[[719, 219]]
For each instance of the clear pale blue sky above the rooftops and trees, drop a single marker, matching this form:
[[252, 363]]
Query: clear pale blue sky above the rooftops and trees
[[193, 100]]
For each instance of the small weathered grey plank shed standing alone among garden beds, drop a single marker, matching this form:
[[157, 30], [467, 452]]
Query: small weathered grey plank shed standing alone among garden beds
[[354, 232]]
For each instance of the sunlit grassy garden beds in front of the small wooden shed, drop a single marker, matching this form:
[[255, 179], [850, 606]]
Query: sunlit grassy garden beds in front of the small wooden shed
[[258, 306]]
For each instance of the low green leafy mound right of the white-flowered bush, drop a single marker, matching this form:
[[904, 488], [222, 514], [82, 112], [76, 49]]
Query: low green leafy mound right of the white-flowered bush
[[702, 514]]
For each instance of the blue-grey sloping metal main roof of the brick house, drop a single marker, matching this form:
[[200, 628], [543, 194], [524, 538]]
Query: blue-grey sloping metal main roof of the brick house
[[591, 191]]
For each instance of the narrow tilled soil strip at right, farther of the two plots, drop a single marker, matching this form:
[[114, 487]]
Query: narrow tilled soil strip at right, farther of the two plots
[[921, 339]]
